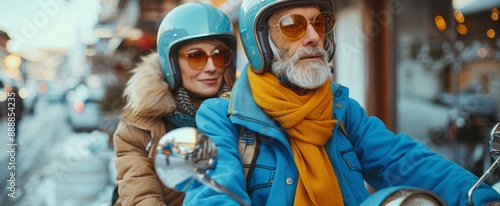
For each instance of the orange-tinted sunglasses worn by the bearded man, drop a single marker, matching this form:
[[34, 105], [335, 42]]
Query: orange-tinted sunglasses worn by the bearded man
[[294, 26]]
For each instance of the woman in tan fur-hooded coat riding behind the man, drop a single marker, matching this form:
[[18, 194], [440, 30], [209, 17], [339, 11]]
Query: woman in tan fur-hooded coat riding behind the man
[[195, 61]]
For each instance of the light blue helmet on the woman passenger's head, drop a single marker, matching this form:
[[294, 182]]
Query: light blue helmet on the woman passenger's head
[[189, 22]]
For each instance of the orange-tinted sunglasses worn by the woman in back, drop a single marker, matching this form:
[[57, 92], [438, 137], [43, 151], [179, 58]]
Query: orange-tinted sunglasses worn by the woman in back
[[197, 58]]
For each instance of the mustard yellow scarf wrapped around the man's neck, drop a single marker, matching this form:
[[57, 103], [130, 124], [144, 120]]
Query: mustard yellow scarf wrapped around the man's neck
[[308, 122]]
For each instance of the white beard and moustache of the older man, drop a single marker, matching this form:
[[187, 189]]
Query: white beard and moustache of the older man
[[310, 75]]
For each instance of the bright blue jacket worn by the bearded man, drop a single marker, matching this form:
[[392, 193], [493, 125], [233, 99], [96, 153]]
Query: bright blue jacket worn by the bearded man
[[370, 153]]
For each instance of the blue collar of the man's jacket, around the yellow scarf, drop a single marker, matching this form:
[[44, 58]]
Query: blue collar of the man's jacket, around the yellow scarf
[[244, 110]]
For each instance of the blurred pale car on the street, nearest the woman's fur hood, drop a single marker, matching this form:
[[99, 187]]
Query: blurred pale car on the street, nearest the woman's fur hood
[[84, 110]]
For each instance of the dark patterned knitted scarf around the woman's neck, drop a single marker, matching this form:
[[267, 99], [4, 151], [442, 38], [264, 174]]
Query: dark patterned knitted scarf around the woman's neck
[[186, 107]]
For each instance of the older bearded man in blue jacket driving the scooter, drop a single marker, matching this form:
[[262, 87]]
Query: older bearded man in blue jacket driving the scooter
[[317, 145]]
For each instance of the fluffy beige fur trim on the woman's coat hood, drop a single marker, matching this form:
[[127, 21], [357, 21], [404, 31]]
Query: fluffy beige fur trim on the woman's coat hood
[[147, 94]]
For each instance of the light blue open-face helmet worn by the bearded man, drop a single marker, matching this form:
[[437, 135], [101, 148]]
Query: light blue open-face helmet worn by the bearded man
[[253, 24]]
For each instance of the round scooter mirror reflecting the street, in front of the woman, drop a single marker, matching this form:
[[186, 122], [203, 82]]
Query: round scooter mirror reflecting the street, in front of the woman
[[182, 154]]
